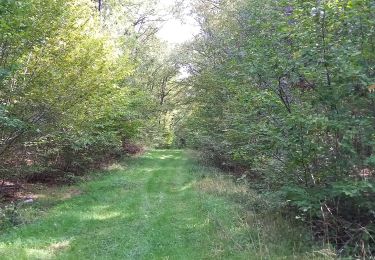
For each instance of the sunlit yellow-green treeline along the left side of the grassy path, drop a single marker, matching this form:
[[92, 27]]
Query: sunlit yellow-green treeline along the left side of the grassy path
[[73, 84]]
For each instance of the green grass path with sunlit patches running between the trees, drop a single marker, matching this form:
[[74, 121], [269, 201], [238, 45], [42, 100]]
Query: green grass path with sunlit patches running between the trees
[[158, 206]]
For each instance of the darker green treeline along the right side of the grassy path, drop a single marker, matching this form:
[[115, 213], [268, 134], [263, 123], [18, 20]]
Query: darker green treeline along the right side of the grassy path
[[283, 89]]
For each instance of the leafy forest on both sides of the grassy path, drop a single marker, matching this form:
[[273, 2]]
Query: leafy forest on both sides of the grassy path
[[277, 94]]
